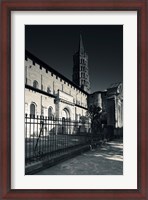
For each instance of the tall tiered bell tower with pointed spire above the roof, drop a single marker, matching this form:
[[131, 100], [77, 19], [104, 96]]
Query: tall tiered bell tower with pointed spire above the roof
[[80, 68]]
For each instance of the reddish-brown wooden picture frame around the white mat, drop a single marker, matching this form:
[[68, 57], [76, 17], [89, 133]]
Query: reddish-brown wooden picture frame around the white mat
[[141, 6]]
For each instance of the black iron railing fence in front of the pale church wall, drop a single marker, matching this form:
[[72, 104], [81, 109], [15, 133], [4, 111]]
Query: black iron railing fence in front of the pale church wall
[[49, 137]]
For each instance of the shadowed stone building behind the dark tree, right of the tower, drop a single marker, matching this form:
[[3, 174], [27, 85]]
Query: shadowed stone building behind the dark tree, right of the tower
[[111, 102]]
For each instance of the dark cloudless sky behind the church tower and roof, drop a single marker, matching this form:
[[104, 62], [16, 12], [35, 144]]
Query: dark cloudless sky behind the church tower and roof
[[56, 44]]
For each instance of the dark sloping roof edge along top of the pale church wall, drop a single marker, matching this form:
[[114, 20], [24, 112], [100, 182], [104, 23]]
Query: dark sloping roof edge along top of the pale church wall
[[46, 66]]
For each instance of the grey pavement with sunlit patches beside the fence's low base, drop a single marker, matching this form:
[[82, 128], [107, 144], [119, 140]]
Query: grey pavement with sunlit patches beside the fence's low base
[[105, 160]]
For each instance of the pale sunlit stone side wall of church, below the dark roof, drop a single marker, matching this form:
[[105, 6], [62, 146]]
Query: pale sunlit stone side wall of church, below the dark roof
[[59, 94]]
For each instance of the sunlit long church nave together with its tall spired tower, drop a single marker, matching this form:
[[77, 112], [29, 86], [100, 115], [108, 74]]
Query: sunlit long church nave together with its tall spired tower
[[49, 93]]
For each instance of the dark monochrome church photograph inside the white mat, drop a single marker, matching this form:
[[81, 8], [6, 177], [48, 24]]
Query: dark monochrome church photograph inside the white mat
[[73, 100]]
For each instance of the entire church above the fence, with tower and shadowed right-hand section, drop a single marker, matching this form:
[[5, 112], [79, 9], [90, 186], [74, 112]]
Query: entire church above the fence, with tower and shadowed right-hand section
[[50, 94]]
